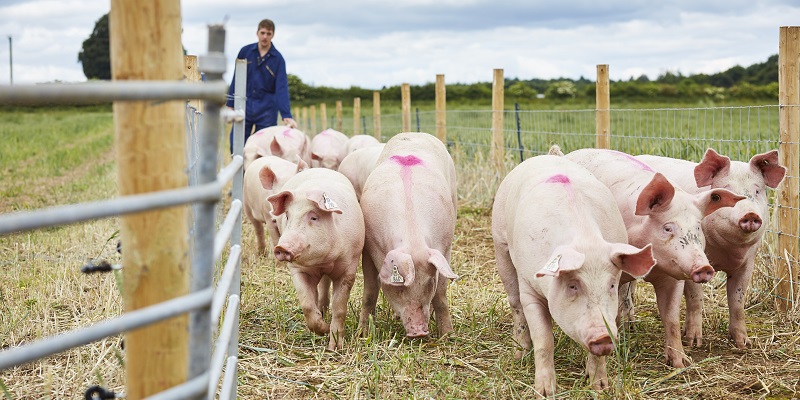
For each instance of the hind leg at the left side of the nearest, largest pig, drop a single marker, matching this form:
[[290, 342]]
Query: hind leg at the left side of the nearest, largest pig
[[508, 275]]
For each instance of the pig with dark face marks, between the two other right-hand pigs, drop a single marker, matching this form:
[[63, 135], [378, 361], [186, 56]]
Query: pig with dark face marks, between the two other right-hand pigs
[[656, 211]]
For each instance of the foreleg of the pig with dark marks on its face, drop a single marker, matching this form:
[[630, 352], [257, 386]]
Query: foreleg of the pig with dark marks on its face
[[668, 296]]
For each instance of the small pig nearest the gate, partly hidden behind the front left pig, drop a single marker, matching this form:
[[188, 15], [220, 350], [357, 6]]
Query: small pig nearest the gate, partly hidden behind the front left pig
[[267, 176]]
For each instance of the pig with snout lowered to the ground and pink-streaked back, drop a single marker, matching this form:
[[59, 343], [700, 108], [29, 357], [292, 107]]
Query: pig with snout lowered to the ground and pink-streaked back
[[409, 204]]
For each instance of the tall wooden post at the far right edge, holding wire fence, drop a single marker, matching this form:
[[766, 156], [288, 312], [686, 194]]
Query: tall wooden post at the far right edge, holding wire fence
[[787, 195]]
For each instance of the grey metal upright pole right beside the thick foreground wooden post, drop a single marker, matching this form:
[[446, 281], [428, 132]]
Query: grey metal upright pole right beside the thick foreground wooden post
[[200, 327]]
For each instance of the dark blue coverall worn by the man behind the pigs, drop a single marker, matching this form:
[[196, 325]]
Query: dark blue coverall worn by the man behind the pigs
[[267, 86]]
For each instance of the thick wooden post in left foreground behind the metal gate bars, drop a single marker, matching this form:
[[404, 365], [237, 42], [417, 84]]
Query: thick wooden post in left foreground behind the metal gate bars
[[145, 44]]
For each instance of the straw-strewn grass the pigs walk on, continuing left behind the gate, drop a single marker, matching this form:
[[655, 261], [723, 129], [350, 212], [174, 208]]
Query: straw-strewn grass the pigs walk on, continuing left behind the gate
[[42, 293]]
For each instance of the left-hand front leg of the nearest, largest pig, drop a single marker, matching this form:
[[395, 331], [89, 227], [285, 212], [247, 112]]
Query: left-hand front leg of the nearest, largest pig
[[541, 324]]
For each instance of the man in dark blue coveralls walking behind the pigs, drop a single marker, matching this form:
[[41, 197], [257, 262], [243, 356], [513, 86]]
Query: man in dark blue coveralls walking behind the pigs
[[267, 85]]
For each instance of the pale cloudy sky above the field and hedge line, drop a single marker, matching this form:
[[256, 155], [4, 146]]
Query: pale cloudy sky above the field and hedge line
[[374, 43]]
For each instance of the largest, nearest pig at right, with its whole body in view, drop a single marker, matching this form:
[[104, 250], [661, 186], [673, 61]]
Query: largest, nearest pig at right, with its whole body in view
[[561, 247]]
